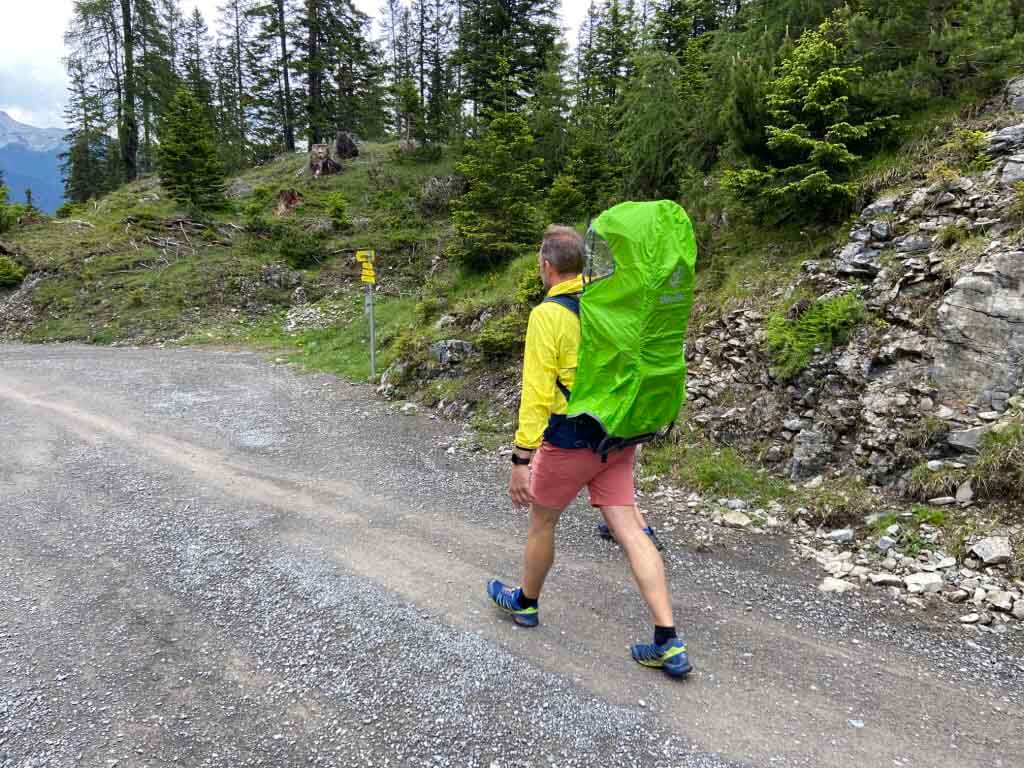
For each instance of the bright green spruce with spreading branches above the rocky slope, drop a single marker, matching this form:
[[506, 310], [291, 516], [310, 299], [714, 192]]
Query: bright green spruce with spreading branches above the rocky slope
[[817, 118]]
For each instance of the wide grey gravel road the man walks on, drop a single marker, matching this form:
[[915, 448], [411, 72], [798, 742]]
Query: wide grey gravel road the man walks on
[[210, 561]]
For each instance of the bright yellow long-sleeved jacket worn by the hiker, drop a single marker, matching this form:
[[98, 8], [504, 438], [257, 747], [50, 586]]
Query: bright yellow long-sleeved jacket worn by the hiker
[[552, 342]]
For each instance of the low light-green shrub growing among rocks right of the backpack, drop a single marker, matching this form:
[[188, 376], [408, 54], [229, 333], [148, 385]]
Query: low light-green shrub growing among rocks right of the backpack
[[819, 329]]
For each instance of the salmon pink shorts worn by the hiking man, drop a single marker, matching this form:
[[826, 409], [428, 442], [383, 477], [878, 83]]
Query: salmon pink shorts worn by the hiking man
[[559, 475]]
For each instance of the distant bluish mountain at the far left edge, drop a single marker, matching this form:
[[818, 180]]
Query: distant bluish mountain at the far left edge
[[29, 159]]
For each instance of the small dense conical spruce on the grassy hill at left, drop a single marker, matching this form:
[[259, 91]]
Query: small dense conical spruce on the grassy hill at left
[[190, 168]]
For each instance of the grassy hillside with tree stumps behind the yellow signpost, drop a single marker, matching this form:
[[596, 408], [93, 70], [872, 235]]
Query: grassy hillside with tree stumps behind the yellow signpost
[[123, 268]]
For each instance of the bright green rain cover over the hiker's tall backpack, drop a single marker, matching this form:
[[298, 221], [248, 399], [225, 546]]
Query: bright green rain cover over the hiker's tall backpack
[[631, 372]]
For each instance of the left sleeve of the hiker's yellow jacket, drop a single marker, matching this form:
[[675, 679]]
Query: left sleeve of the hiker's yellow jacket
[[540, 372]]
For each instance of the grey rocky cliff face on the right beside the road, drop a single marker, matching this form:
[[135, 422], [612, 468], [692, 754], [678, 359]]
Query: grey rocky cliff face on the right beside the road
[[942, 269]]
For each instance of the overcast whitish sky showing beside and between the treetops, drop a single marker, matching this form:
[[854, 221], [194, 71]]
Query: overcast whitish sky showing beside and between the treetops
[[32, 74]]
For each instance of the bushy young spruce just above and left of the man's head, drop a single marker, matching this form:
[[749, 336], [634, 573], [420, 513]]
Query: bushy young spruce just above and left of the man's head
[[497, 218]]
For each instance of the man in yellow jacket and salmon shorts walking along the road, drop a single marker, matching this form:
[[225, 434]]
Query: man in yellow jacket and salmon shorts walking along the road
[[550, 467]]
